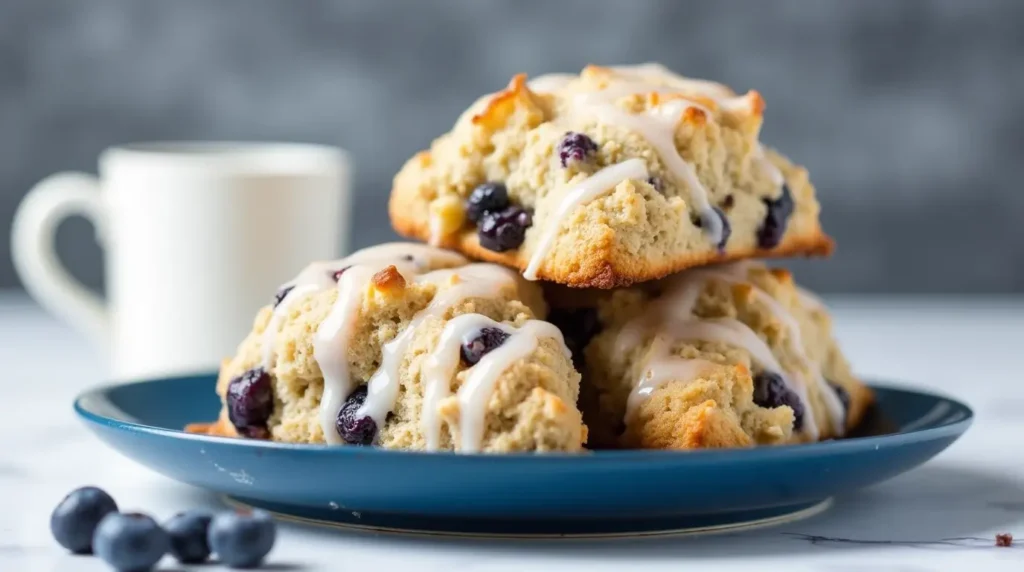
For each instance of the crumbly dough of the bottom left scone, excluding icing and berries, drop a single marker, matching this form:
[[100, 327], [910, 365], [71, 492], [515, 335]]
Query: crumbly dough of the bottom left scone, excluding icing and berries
[[533, 407]]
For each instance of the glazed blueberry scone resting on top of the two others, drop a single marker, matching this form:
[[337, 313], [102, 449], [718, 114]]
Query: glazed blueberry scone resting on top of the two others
[[616, 177]]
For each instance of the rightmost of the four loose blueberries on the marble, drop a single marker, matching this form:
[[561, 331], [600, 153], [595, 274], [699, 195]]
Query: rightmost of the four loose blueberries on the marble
[[242, 539]]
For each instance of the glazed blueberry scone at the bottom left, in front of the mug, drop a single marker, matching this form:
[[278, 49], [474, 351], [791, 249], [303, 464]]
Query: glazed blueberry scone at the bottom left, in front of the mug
[[408, 347]]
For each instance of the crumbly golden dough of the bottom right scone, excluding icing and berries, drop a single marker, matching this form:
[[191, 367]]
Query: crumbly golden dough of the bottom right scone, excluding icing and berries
[[716, 408]]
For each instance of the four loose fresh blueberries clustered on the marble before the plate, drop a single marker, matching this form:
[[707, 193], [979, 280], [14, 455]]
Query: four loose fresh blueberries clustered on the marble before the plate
[[88, 521]]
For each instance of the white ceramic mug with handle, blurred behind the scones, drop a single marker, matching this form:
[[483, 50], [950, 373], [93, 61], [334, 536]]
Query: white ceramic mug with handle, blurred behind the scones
[[197, 237]]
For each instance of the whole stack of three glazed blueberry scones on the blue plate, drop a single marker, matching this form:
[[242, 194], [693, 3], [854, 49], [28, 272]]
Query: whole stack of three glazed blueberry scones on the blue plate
[[641, 198]]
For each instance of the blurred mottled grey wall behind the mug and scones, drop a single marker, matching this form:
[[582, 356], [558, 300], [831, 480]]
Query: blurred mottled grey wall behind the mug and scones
[[909, 114]]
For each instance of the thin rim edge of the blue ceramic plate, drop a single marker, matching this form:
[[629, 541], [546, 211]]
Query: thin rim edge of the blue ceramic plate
[[955, 428]]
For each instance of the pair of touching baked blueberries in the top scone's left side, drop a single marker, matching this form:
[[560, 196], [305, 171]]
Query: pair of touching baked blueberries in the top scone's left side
[[500, 226]]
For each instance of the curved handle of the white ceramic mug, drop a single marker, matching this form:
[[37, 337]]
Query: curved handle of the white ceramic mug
[[36, 262]]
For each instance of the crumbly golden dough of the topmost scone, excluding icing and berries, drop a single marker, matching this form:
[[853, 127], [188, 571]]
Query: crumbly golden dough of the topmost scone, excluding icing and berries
[[633, 234]]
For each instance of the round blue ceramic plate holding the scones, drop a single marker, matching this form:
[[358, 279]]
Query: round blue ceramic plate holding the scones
[[627, 493]]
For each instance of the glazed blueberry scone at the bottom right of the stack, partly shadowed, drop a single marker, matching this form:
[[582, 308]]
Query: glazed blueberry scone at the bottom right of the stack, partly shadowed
[[732, 356]]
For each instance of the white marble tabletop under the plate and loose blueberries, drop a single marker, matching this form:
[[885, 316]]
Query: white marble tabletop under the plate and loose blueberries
[[943, 516]]
